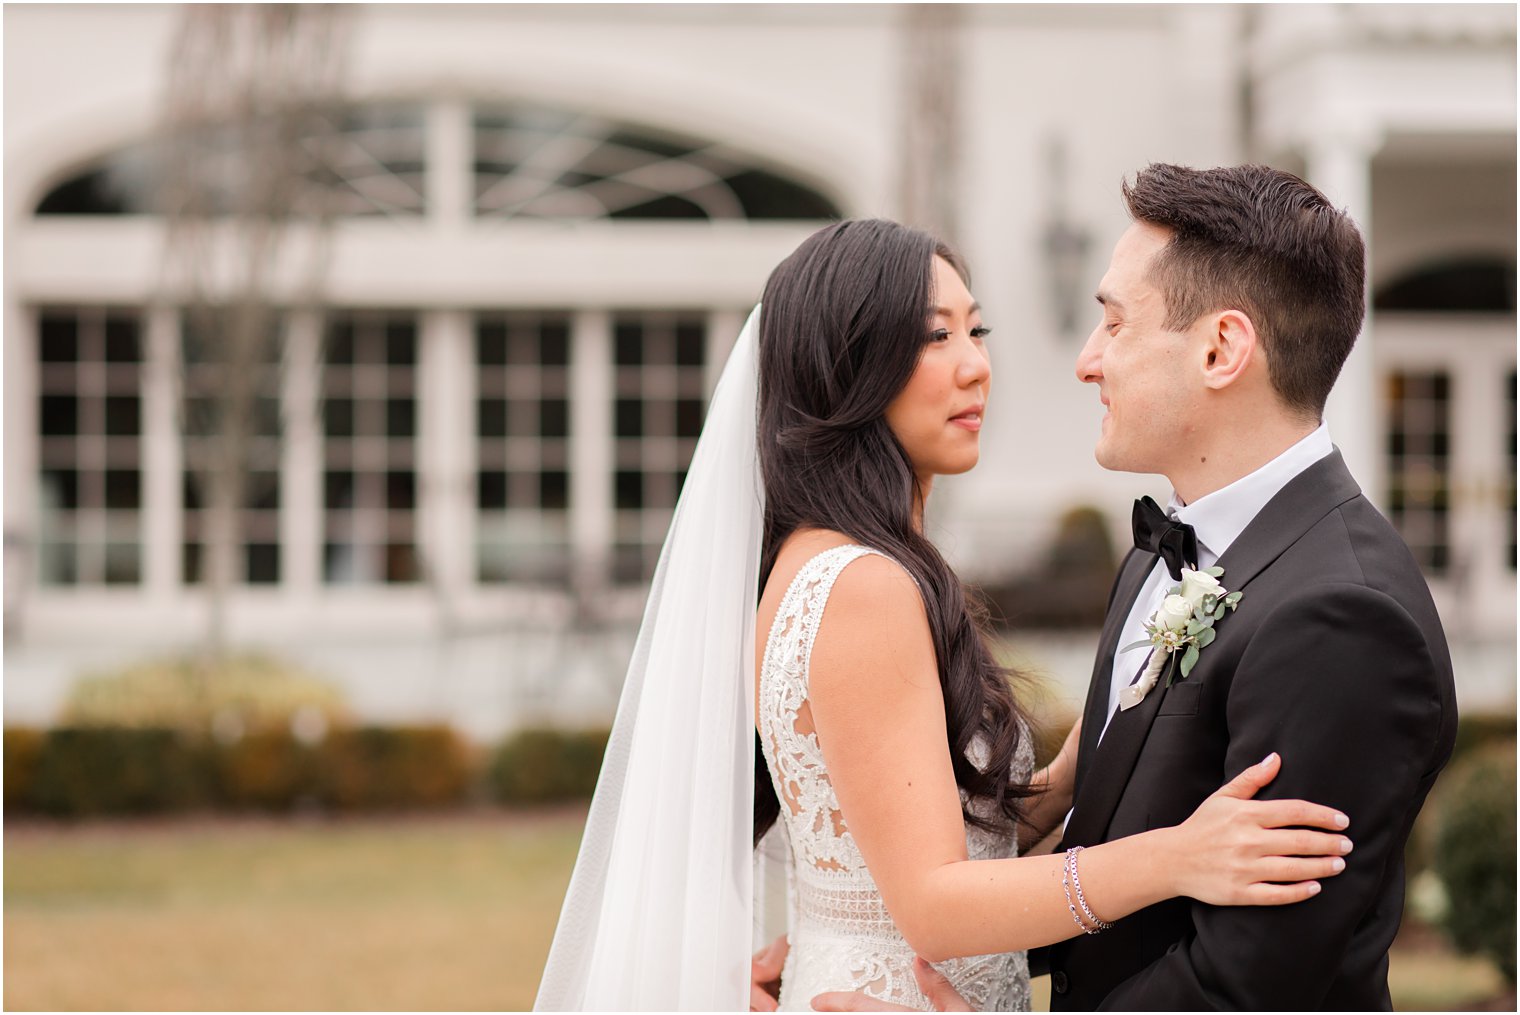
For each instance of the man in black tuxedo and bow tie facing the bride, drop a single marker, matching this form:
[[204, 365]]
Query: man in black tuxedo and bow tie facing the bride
[[1230, 306]]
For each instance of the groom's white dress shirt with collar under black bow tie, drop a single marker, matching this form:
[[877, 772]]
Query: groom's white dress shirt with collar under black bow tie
[[1218, 520]]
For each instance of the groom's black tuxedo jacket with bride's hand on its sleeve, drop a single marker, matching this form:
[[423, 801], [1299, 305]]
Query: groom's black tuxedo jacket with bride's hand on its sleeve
[[1335, 660]]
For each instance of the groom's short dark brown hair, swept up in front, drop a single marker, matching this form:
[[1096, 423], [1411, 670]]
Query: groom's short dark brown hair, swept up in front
[[1264, 242]]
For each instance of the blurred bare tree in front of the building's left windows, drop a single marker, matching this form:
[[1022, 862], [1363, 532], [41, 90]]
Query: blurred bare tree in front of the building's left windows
[[249, 133]]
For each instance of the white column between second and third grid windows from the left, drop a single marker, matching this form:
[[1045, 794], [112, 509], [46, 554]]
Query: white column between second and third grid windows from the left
[[302, 461]]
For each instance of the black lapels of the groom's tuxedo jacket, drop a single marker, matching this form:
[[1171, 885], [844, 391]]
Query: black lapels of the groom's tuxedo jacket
[[1104, 768]]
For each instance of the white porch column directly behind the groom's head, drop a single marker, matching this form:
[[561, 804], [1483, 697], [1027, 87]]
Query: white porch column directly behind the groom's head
[[1340, 163]]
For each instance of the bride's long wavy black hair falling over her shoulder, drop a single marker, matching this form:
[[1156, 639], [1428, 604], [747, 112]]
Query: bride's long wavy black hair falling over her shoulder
[[843, 324]]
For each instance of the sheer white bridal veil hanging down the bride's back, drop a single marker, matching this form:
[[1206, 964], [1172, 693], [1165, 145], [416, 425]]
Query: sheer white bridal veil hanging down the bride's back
[[659, 909]]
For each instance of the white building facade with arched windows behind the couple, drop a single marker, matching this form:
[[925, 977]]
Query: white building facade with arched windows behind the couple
[[557, 220]]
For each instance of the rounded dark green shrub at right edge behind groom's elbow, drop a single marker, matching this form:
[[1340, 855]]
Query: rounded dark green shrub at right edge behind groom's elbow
[[1475, 853]]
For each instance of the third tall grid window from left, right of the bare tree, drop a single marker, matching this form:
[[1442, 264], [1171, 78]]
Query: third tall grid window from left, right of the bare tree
[[370, 449]]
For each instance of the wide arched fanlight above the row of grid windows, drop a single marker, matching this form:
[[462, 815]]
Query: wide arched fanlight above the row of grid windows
[[530, 162]]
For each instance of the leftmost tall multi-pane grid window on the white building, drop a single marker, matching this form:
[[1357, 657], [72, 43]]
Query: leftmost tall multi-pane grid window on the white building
[[90, 447]]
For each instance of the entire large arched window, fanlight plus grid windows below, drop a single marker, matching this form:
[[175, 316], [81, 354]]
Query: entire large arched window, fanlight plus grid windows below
[[581, 408]]
